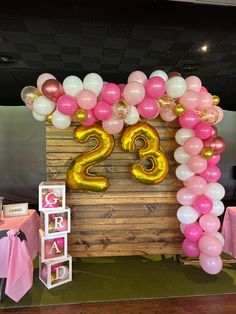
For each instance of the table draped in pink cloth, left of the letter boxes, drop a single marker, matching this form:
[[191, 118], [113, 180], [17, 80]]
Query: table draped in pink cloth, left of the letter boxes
[[19, 245]]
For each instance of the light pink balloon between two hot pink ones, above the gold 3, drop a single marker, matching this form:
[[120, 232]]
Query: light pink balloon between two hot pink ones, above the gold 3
[[134, 93]]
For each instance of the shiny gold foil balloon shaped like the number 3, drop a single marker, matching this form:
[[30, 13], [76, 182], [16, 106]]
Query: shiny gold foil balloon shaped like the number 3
[[151, 150]]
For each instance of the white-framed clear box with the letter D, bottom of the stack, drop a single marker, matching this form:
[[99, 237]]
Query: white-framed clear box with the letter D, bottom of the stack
[[56, 273]]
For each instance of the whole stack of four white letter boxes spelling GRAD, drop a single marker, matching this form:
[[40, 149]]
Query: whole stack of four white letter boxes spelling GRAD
[[55, 263]]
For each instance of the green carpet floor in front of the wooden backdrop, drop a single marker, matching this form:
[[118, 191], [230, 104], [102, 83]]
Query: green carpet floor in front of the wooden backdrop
[[122, 278]]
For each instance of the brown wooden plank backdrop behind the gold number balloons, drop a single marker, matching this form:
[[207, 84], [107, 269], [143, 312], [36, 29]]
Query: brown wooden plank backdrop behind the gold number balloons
[[130, 218]]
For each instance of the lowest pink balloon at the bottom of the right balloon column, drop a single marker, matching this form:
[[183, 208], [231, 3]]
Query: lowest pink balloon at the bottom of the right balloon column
[[210, 264]]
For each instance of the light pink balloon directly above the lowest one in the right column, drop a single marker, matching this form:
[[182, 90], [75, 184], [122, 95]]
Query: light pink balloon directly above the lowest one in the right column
[[210, 245]]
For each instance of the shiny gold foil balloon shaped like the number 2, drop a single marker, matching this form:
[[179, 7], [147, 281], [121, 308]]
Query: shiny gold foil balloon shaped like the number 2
[[78, 176]]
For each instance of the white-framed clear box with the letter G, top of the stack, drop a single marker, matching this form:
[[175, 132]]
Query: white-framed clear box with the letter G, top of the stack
[[52, 195]]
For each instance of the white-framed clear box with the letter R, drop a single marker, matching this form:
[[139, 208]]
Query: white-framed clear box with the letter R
[[55, 222]]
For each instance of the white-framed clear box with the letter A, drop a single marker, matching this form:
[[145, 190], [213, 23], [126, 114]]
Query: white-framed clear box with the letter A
[[52, 247]]
